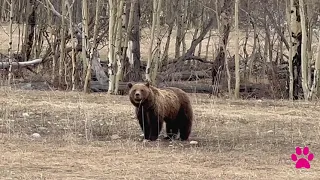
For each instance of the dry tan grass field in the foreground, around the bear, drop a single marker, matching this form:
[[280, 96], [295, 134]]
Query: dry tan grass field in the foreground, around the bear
[[237, 139]]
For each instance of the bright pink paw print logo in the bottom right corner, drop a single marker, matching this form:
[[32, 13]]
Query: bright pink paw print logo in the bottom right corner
[[302, 162]]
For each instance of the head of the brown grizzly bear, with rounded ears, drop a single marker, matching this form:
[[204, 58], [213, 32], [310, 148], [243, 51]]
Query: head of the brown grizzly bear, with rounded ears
[[139, 92]]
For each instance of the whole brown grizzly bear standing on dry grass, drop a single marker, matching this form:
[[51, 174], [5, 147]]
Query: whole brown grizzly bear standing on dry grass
[[153, 106]]
